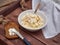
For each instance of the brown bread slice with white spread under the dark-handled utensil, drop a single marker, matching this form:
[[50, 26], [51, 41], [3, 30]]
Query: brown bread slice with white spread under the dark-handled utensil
[[8, 26]]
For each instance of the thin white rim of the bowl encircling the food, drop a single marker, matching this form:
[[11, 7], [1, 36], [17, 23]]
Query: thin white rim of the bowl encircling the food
[[32, 29]]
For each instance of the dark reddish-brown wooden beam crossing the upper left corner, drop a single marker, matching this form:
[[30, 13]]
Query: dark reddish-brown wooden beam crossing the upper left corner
[[7, 9]]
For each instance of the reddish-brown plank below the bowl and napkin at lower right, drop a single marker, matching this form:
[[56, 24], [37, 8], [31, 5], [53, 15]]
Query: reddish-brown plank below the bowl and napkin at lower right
[[53, 41]]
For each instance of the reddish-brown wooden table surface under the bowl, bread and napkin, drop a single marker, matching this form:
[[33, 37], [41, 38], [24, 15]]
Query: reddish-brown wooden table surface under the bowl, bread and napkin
[[35, 38]]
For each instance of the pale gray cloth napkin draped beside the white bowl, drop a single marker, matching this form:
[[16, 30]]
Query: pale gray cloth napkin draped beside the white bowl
[[49, 8]]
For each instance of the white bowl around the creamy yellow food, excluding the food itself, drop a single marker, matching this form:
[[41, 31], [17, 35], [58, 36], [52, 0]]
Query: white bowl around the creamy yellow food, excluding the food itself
[[40, 13]]
